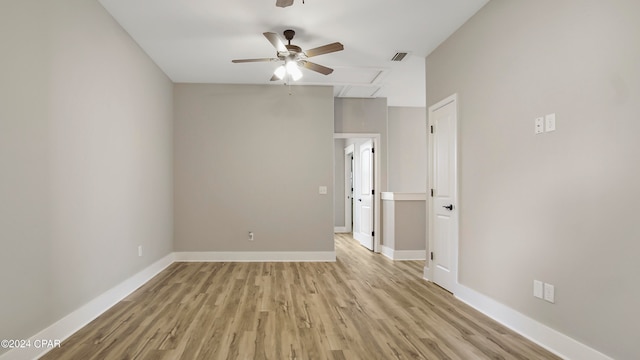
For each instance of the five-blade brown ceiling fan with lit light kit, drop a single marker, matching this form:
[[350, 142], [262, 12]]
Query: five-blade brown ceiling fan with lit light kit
[[293, 57]]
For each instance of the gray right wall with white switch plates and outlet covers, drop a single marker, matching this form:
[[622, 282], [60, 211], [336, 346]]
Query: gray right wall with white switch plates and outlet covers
[[561, 207]]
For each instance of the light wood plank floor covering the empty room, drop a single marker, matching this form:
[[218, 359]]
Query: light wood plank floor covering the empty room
[[363, 306]]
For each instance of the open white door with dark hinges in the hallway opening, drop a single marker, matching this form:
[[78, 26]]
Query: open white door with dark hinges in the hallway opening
[[363, 196]]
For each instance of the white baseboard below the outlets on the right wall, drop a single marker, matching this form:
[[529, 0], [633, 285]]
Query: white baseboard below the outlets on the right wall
[[550, 339]]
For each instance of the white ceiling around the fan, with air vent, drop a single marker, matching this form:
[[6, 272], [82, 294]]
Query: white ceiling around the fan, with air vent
[[194, 41]]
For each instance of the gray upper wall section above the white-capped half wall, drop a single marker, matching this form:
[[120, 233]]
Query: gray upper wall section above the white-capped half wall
[[407, 155]]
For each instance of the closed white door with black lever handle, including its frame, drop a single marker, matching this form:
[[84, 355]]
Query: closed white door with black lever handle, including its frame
[[444, 218]]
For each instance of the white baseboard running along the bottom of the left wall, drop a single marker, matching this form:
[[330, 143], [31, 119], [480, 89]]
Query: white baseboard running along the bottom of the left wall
[[65, 327]]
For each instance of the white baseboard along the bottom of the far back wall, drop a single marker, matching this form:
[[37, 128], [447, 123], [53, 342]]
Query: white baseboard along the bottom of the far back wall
[[255, 256]]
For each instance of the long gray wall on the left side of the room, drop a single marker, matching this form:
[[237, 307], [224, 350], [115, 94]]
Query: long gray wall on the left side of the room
[[85, 160]]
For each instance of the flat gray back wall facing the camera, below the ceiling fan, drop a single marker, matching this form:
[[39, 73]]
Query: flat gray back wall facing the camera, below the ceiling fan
[[251, 158]]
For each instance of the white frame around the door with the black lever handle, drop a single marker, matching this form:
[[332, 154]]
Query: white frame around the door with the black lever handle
[[430, 185]]
